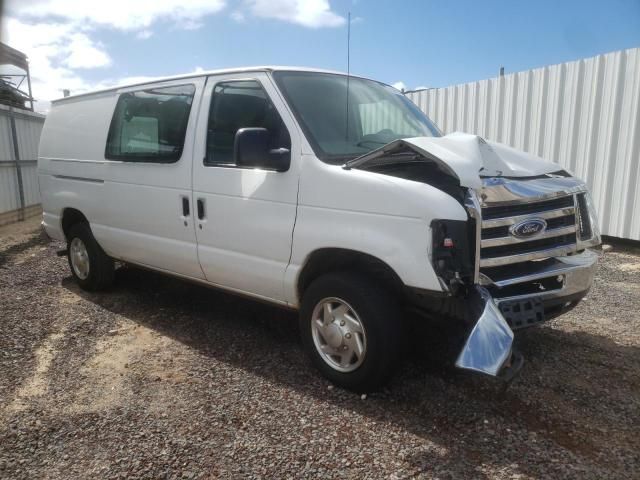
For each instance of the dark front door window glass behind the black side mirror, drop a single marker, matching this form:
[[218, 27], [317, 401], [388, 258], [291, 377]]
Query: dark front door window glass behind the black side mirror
[[235, 105]]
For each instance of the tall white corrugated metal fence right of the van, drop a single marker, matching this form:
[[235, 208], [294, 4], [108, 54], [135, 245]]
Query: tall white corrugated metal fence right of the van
[[583, 115]]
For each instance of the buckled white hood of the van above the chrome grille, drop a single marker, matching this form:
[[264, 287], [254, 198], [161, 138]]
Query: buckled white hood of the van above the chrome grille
[[467, 157]]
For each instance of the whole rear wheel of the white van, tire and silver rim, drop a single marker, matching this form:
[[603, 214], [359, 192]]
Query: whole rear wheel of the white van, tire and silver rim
[[92, 268]]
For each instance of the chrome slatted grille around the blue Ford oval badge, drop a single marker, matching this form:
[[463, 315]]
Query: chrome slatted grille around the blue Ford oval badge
[[499, 247]]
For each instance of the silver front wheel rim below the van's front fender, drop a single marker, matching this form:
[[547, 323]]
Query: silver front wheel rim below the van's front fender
[[338, 334]]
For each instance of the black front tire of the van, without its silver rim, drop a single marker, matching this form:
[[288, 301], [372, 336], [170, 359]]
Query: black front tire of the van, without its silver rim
[[380, 313]]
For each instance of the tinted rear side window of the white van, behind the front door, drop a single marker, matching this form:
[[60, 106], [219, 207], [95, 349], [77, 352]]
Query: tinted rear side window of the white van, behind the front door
[[150, 125]]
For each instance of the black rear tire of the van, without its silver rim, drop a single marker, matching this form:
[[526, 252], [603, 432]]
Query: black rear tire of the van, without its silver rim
[[101, 266]]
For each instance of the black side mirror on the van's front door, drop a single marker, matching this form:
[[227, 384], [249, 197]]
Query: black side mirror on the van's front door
[[251, 149]]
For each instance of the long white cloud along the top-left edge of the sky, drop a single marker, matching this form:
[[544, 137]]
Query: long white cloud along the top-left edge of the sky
[[118, 14]]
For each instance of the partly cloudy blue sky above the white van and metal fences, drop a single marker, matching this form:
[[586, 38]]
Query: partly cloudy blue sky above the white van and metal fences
[[82, 45]]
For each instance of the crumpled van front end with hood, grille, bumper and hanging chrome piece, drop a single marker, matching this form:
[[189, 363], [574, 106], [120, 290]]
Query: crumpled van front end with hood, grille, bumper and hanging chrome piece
[[520, 258]]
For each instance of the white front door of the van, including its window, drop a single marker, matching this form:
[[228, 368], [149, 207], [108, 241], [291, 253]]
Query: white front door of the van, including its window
[[244, 216]]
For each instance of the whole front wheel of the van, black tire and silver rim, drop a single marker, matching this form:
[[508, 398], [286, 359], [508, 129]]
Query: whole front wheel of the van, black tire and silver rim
[[352, 329]]
